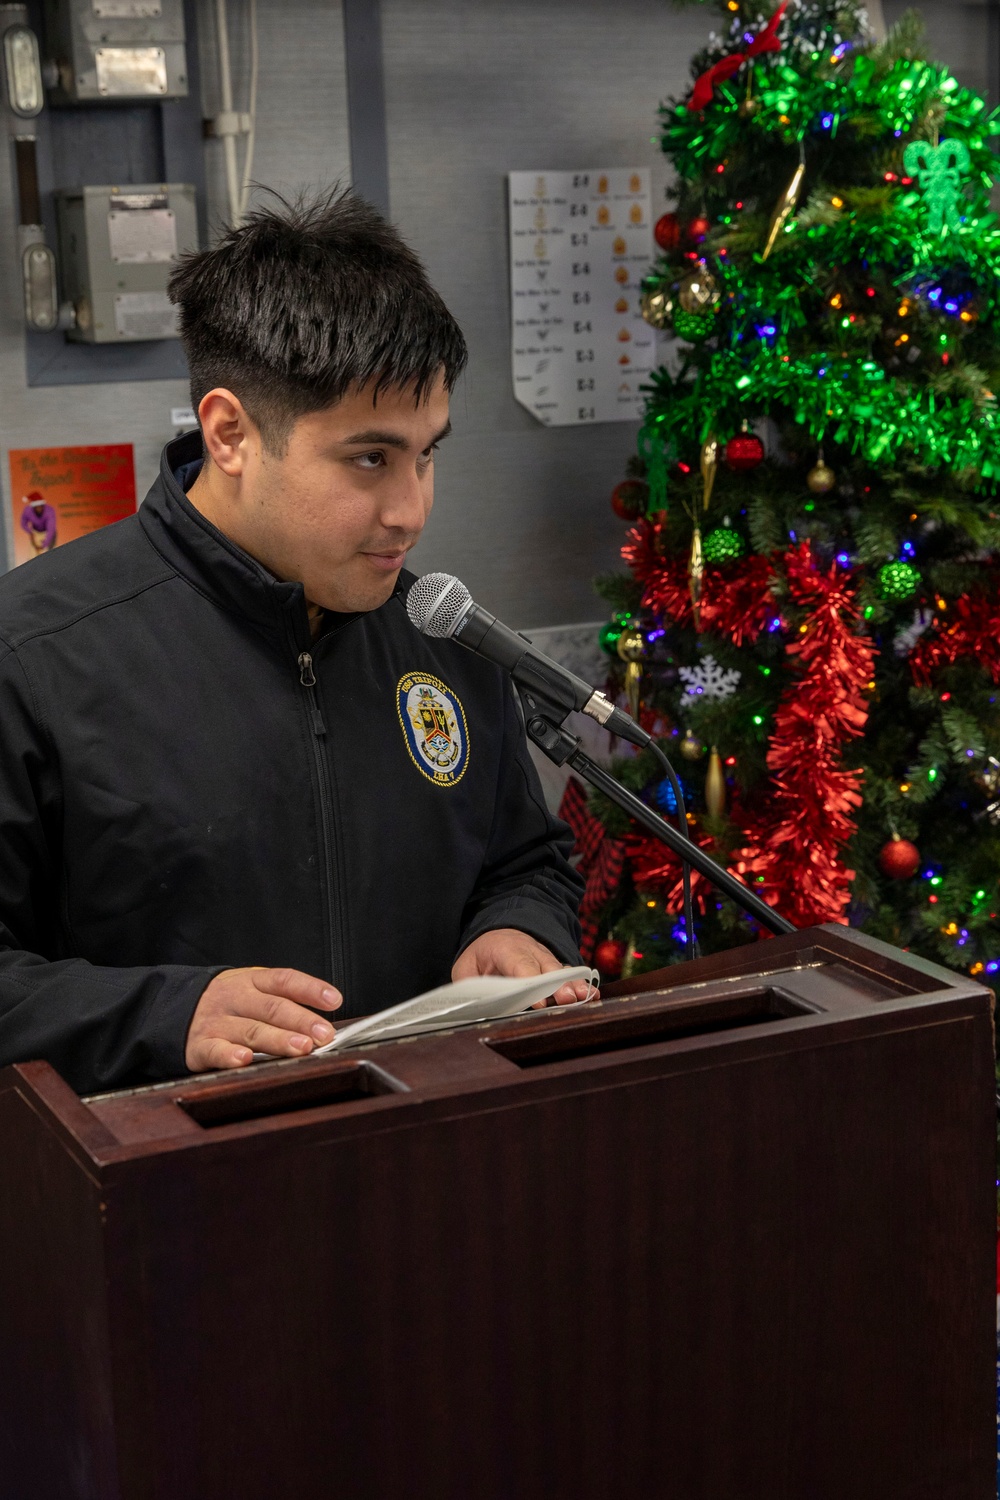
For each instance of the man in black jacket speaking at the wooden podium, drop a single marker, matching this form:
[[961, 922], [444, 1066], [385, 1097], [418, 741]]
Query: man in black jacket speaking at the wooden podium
[[239, 791]]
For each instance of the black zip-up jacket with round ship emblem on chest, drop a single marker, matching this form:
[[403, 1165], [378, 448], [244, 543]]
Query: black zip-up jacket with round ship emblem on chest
[[176, 799]]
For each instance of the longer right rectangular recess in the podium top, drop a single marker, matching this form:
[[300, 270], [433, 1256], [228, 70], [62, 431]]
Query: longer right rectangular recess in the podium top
[[612, 1033]]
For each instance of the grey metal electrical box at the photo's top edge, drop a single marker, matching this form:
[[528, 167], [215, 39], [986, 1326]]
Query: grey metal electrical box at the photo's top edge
[[113, 52]]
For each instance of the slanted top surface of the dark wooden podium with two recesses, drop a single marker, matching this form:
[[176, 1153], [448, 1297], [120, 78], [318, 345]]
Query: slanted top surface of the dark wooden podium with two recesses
[[774, 995]]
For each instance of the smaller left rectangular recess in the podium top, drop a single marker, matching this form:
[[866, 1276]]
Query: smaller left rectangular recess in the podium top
[[233, 1103]]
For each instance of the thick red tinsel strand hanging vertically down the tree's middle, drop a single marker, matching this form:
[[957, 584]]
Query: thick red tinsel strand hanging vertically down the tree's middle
[[797, 848]]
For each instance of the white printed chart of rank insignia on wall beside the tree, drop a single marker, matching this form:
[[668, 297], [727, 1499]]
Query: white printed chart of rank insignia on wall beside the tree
[[579, 248]]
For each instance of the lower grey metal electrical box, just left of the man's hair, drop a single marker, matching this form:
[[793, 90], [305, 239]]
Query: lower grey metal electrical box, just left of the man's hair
[[118, 247]]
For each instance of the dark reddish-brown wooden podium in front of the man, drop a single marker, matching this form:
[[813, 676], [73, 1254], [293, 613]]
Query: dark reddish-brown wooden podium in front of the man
[[725, 1237]]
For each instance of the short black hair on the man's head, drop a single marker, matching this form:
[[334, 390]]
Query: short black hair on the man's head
[[304, 302]]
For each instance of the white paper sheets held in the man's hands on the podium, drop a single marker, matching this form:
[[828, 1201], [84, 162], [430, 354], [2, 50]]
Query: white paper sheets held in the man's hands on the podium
[[487, 998]]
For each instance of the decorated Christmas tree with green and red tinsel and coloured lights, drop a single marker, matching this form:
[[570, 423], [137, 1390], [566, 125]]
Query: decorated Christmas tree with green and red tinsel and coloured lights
[[812, 616]]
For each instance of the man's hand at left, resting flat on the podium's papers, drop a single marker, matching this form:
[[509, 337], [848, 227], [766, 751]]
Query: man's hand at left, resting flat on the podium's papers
[[259, 1010]]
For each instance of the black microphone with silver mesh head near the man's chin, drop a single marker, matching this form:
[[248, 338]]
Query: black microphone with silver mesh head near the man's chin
[[439, 605]]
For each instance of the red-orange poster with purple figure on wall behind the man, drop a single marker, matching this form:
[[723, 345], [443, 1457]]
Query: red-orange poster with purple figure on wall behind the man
[[61, 494]]
